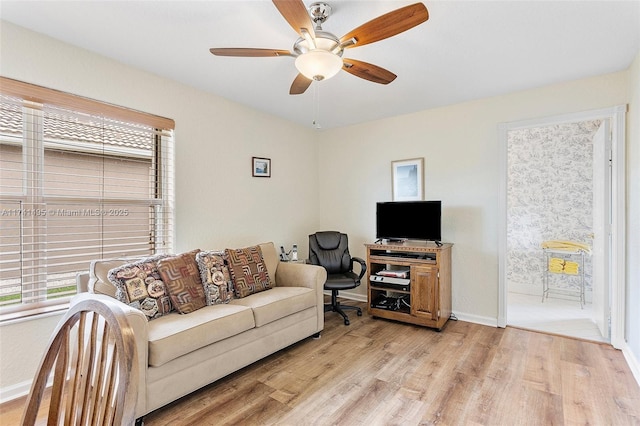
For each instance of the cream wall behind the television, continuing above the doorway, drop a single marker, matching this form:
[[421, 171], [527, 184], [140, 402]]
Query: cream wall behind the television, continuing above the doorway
[[462, 168]]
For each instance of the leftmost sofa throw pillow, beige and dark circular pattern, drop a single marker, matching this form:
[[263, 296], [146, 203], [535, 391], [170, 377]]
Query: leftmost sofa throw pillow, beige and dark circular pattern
[[139, 285]]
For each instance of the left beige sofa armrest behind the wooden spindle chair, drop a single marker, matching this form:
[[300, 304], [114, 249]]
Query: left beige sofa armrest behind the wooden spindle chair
[[138, 322]]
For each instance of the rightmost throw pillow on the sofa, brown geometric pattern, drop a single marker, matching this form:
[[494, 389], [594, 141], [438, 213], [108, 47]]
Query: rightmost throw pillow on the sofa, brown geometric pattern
[[248, 271]]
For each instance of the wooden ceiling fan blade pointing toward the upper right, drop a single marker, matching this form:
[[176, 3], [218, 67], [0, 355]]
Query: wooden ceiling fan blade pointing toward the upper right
[[387, 25]]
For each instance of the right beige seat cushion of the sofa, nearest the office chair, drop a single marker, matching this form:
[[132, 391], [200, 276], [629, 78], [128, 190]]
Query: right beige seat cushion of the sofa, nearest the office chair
[[277, 303]]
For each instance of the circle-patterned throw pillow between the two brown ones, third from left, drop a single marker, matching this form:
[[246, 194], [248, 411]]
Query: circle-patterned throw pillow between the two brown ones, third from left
[[218, 287]]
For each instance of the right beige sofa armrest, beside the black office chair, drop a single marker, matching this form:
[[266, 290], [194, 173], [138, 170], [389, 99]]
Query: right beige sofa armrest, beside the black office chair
[[304, 275]]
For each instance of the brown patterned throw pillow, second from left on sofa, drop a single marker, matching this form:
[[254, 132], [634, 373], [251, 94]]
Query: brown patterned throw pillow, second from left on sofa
[[182, 278]]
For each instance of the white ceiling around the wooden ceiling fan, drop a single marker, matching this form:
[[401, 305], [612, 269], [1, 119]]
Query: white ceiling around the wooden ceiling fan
[[466, 50]]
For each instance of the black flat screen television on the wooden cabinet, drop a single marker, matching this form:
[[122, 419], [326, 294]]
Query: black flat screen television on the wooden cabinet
[[409, 220]]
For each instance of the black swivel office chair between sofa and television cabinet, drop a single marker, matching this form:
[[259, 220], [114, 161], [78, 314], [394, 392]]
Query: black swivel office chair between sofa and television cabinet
[[330, 249]]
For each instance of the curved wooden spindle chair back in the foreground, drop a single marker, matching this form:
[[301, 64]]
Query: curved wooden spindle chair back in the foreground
[[92, 358]]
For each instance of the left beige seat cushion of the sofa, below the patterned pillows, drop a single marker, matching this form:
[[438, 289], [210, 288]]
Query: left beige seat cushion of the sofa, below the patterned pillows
[[175, 335]]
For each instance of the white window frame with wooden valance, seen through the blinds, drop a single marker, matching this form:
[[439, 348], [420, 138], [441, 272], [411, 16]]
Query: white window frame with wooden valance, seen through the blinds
[[32, 193]]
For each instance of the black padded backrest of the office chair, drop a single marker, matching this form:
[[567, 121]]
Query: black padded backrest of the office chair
[[330, 249]]
